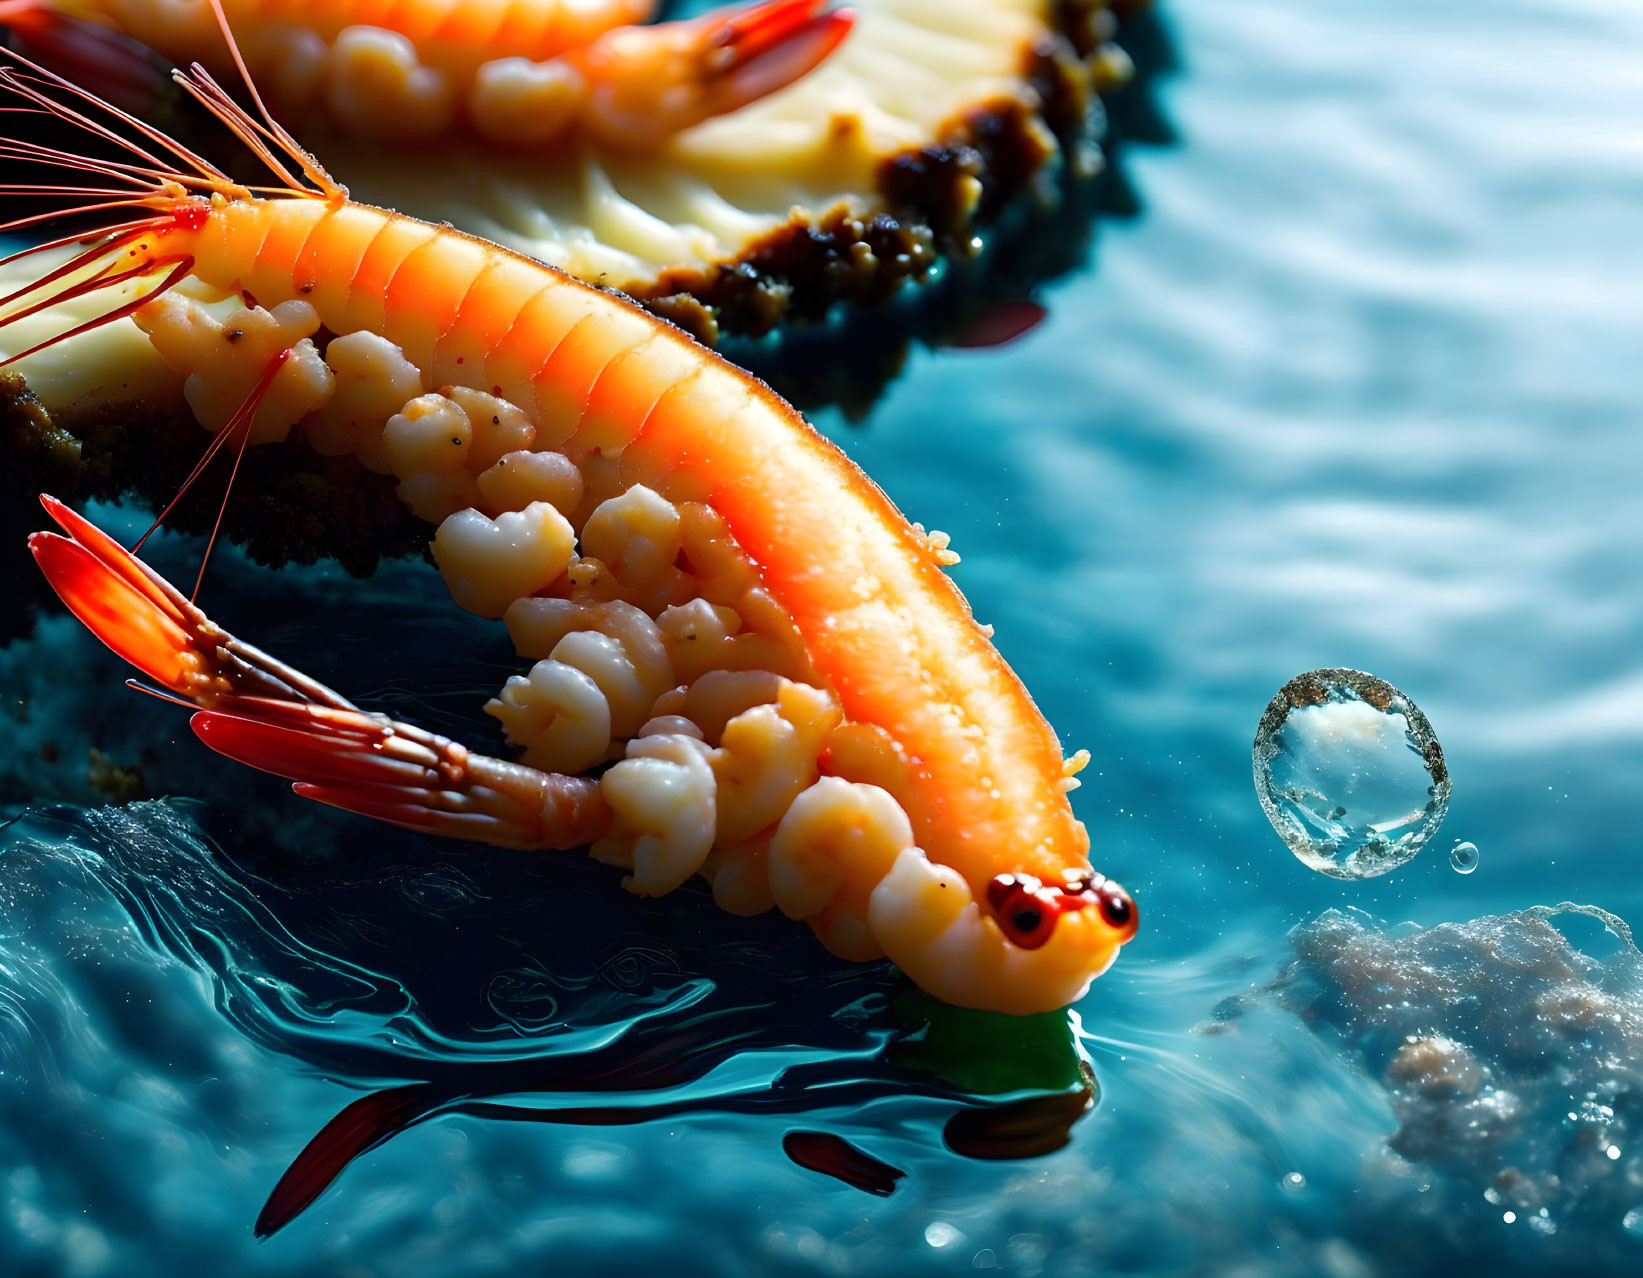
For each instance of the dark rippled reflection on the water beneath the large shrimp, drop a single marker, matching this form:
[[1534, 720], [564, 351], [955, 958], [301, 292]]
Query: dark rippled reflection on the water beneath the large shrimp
[[599, 1019]]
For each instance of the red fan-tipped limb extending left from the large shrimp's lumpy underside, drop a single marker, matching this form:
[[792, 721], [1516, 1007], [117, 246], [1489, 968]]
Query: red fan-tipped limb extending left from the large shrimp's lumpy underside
[[265, 714]]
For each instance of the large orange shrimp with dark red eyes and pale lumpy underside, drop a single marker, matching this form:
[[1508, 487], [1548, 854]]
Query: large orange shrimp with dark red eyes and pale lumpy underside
[[745, 664]]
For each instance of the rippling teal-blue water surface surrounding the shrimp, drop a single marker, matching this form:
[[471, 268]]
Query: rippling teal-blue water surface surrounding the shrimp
[[1355, 390]]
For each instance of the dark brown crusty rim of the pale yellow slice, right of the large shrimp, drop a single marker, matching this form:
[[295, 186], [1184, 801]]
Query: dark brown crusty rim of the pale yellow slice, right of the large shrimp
[[936, 200]]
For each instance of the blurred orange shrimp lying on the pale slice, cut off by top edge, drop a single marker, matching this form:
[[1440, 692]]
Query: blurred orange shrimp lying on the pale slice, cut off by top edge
[[517, 73]]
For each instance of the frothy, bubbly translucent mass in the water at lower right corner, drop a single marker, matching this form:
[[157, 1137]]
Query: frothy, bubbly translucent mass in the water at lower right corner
[[1512, 1059]]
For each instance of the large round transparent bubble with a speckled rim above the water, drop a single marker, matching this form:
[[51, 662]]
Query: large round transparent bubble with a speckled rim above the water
[[1350, 773]]
